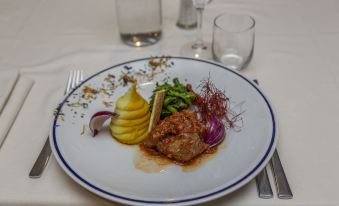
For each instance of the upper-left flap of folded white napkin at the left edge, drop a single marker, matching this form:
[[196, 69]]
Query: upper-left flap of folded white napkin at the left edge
[[7, 81]]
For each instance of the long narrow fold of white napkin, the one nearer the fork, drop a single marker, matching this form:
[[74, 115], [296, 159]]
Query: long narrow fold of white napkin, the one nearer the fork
[[13, 105]]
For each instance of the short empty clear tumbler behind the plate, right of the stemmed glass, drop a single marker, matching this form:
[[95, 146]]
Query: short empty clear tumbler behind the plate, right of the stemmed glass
[[233, 40]]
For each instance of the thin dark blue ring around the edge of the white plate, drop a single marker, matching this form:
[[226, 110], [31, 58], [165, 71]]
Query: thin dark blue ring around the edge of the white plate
[[188, 200]]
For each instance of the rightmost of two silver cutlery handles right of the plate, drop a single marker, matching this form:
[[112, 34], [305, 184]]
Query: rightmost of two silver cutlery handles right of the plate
[[283, 188]]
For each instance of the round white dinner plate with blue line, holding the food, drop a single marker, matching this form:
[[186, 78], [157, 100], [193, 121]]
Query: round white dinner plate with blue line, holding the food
[[105, 167]]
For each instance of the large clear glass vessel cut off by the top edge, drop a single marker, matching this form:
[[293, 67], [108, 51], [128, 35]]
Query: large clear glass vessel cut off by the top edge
[[139, 21]]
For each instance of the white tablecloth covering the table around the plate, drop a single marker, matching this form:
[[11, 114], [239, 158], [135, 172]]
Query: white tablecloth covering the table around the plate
[[295, 59]]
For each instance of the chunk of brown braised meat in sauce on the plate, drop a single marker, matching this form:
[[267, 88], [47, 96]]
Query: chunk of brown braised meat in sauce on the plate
[[178, 136]]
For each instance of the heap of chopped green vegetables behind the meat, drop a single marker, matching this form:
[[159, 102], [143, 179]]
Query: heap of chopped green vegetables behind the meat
[[177, 97]]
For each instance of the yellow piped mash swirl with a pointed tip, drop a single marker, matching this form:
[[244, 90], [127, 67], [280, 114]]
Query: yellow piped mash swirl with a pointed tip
[[131, 124]]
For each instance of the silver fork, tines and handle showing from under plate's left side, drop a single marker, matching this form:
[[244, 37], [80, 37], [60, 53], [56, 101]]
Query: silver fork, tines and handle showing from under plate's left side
[[74, 79]]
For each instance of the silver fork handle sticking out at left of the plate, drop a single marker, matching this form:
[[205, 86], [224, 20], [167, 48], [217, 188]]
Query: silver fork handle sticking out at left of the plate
[[42, 161]]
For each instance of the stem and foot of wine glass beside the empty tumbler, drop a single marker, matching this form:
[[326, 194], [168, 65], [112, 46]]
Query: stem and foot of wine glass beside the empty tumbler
[[198, 48]]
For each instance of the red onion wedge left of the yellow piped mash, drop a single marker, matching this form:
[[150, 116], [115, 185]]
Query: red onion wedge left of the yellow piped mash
[[98, 119]]
